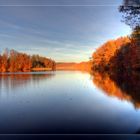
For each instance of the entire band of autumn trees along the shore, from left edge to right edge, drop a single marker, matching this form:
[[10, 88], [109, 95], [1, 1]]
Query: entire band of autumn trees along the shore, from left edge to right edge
[[117, 55]]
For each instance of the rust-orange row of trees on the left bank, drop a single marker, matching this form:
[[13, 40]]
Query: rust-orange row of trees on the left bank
[[13, 61]]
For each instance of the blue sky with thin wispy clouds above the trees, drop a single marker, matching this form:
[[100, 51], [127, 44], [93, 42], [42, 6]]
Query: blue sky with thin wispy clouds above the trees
[[64, 30]]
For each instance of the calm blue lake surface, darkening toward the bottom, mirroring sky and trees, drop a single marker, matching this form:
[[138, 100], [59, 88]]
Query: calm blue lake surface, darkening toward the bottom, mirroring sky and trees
[[67, 102]]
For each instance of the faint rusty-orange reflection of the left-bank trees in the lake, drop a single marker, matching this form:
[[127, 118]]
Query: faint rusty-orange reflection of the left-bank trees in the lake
[[12, 81]]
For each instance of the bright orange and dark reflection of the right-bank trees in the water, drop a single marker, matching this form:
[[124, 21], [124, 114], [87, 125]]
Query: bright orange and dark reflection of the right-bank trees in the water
[[123, 86]]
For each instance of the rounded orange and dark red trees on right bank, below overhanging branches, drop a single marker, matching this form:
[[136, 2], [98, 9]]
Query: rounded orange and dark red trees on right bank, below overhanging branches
[[117, 55]]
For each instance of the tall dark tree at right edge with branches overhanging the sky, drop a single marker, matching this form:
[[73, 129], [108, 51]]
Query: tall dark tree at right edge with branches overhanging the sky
[[131, 16]]
